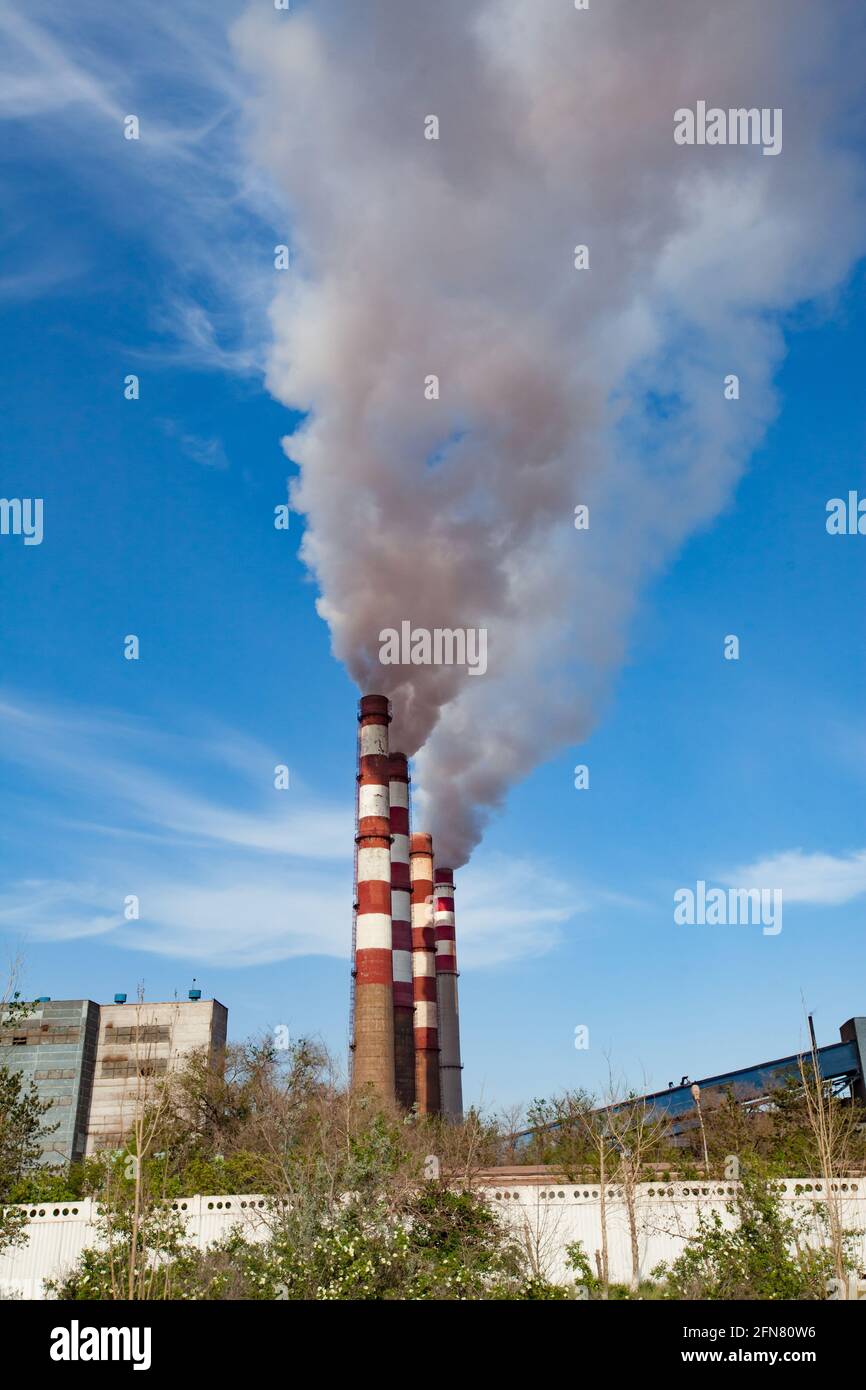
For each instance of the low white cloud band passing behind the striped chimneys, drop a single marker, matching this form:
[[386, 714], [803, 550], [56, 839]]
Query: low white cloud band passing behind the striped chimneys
[[230, 915]]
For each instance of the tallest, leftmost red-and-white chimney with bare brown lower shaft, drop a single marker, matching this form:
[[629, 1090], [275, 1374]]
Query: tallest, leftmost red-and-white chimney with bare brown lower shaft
[[373, 967]]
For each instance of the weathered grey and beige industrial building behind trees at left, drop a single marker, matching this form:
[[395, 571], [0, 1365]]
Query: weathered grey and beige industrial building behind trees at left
[[98, 1063]]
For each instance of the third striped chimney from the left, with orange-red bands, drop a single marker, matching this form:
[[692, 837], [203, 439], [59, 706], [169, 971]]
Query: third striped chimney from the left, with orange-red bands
[[425, 976]]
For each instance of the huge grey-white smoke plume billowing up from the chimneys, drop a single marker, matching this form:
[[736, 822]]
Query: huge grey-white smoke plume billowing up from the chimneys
[[558, 387]]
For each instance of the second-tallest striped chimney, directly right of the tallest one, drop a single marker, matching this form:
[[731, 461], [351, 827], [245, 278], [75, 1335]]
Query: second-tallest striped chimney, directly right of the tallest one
[[401, 932]]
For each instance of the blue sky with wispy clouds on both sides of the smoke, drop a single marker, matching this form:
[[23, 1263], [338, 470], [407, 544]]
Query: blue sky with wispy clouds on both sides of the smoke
[[155, 778]]
